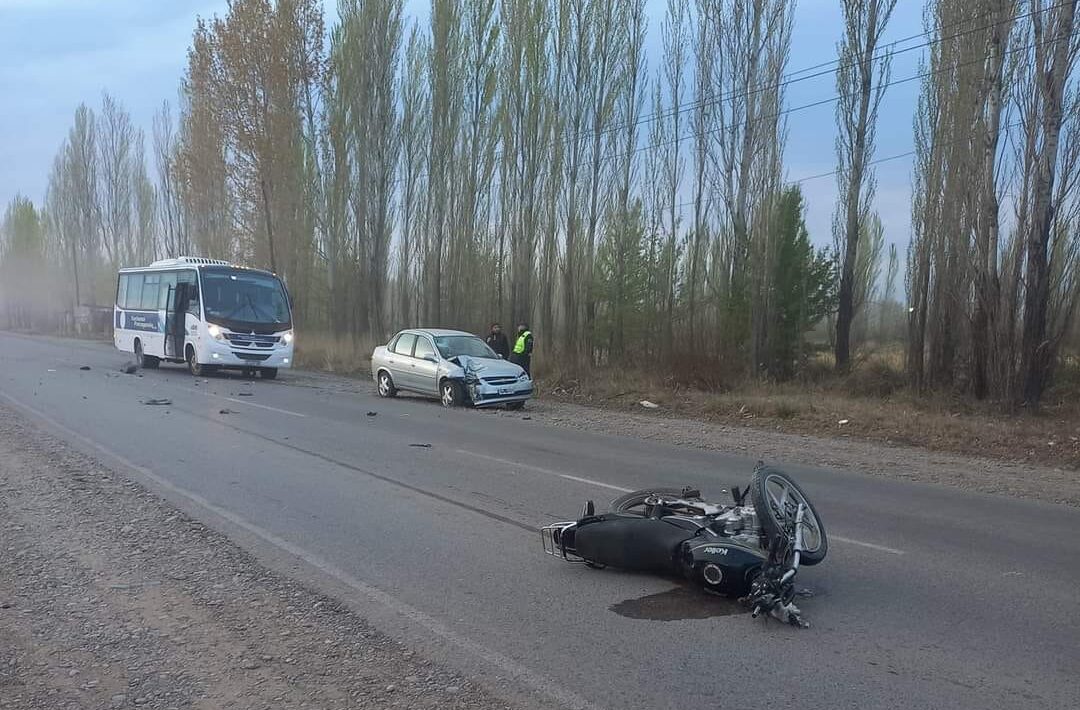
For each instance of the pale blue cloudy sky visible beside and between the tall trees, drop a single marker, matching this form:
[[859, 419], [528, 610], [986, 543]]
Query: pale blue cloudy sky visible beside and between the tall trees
[[58, 53]]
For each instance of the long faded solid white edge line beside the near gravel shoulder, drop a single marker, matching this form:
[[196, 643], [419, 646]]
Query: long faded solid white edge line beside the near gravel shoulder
[[536, 681]]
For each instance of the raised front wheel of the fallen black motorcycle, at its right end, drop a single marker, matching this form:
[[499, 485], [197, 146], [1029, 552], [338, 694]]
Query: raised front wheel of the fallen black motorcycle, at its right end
[[777, 500]]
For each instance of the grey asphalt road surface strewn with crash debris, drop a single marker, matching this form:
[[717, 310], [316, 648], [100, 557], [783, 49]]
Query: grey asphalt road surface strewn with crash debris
[[930, 597]]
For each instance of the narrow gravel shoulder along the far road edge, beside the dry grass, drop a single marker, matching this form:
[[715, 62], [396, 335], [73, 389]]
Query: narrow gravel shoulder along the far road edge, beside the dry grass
[[1029, 481]]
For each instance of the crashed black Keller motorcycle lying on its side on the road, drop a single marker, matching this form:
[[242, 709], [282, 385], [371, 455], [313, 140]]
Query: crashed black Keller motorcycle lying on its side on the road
[[751, 551]]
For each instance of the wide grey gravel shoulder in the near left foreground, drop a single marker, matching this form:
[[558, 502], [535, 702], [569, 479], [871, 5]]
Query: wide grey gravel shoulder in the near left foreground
[[111, 598]]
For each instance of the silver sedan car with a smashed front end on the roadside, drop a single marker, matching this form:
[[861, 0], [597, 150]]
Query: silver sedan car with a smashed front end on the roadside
[[454, 367]]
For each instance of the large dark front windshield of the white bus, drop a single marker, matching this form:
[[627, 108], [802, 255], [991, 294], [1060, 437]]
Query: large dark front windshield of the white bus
[[245, 297]]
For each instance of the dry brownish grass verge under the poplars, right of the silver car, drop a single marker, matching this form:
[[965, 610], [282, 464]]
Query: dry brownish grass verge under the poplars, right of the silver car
[[872, 404]]
